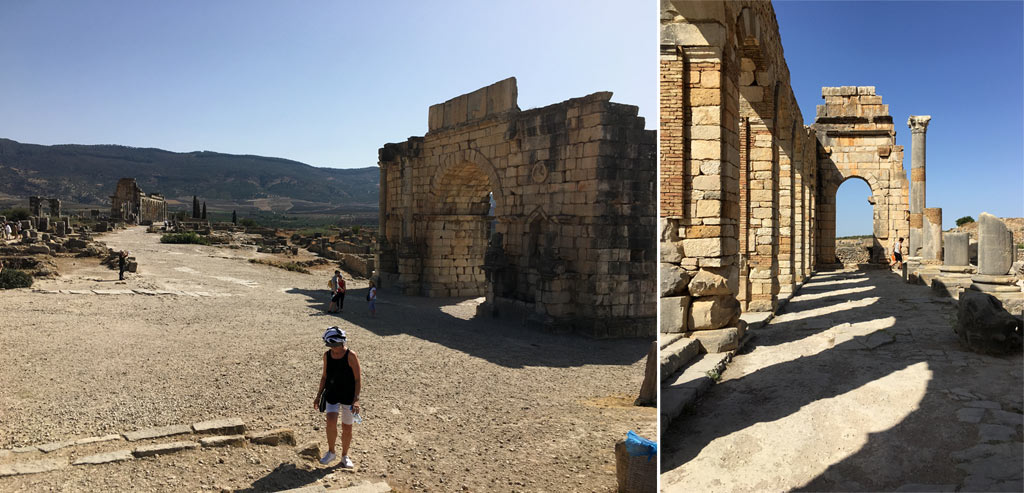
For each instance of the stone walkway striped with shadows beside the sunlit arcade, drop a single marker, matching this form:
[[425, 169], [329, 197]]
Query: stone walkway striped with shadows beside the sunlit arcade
[[859, 385]]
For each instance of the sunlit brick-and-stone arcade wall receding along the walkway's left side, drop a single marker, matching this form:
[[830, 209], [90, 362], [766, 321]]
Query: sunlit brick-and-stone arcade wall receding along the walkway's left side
[[739, 166]]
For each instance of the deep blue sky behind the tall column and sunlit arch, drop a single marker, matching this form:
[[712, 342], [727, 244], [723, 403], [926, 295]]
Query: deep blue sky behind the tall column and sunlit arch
[[962, 63]]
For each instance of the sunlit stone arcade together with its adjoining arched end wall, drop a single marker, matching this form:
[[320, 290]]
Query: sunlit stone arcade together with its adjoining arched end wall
[[748, 191]]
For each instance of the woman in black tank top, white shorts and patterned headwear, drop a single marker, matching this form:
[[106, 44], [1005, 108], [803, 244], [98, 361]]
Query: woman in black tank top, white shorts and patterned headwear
[[339, 389]]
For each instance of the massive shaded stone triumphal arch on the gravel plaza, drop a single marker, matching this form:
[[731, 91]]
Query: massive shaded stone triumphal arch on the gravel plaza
[[549, 213]]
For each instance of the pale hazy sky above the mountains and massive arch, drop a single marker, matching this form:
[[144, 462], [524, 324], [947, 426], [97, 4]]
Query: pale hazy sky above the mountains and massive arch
[[323, 83]]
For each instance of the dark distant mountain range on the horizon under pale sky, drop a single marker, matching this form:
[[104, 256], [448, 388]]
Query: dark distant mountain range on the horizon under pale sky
[[88, 175]]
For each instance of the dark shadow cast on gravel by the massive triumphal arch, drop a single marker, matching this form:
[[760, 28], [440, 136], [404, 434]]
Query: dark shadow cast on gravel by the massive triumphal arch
[[501, 342]]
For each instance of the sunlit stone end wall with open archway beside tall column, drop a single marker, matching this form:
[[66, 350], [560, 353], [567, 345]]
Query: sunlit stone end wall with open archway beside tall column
[[857, 140]]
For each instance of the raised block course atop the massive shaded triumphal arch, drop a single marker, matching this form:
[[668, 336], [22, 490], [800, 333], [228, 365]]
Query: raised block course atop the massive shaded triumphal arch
[[496, 99]]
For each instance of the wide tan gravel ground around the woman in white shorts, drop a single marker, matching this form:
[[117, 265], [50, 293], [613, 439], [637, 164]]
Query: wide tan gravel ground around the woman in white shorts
[[452, 403]]
